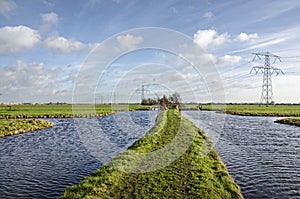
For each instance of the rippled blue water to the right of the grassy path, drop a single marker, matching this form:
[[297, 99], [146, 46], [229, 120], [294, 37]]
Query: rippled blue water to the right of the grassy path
[[262, 156]]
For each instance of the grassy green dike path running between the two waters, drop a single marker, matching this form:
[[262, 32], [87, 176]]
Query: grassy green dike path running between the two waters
[[192, 175]]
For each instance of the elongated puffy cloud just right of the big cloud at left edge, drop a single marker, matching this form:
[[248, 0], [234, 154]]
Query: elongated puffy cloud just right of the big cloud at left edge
[[63, 45]]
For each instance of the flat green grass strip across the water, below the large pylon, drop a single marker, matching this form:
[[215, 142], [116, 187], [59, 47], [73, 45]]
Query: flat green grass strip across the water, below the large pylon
[[256, 110]]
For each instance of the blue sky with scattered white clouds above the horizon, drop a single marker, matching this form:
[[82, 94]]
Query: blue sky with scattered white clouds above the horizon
[[103, 51]]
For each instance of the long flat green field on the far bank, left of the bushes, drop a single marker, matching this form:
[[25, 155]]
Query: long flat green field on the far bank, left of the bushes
[[59, 111]]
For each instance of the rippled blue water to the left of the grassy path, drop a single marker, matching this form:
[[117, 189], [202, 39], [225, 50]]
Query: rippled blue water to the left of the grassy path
[[42, 164]]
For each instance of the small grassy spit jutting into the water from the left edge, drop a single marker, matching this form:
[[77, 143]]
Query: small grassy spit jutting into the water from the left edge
[[14, 127]]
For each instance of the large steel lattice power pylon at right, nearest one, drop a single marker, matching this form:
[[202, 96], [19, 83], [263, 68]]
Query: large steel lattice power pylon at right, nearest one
[[267, 70]]
